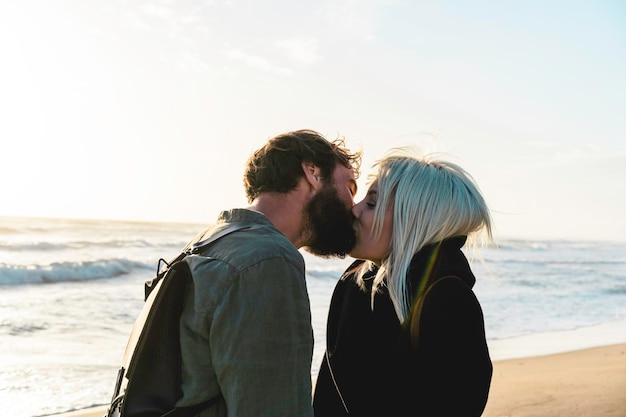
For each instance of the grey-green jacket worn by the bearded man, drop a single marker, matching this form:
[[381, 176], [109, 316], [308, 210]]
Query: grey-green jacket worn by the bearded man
[[246, 326]]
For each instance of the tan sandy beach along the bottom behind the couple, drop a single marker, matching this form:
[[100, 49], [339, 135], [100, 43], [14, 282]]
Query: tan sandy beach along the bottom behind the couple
[[583, 383]]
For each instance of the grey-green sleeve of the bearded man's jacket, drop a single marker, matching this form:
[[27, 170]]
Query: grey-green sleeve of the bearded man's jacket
[[261, 342]]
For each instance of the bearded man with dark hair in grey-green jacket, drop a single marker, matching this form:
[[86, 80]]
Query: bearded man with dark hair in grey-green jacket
[[246, 326]]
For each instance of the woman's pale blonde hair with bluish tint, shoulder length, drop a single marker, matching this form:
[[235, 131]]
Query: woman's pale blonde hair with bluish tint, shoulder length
[[432, 200]]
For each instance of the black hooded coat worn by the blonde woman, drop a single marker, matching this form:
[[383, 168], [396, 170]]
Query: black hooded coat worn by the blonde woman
[[374, 365]]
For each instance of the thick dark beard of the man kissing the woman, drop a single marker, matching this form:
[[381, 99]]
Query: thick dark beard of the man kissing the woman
[[330, 224]]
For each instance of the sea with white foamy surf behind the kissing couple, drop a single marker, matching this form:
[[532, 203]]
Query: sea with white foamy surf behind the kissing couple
[[70, 291]]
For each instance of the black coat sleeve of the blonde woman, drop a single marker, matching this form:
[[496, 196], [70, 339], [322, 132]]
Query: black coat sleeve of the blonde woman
[[452, 365]]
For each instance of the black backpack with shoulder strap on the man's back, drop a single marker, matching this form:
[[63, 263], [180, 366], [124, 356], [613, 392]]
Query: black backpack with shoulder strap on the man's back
[[148, 383]]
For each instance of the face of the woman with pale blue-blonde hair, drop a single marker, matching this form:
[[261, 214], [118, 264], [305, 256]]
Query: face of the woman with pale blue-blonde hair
[[366, 246]]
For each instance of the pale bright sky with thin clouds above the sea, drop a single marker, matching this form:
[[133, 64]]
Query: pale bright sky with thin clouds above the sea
[[148, 110]]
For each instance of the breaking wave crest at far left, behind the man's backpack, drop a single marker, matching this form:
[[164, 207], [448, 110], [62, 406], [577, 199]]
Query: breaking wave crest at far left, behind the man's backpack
[[67, 271]]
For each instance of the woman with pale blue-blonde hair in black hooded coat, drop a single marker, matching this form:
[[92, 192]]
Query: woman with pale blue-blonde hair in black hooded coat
[[405, 332]]
